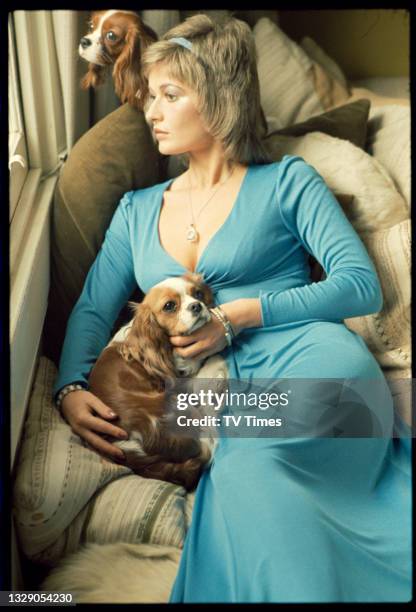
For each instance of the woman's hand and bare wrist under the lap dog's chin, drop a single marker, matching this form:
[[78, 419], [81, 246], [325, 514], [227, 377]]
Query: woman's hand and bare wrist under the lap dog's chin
[[210, 338]]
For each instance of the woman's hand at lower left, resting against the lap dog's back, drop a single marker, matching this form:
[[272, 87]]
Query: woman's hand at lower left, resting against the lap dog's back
[[78, 408]]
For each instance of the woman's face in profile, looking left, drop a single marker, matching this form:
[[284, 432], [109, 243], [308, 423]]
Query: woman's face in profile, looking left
[[172, 111]]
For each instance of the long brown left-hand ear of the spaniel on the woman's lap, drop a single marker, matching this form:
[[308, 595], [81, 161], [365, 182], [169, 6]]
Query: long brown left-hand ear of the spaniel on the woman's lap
[[148, 343]]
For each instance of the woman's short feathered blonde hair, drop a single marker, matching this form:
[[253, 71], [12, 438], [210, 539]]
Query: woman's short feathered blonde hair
[[222, 69]]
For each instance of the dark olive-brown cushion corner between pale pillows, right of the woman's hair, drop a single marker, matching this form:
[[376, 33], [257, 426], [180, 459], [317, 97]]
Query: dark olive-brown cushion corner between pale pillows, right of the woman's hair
[[348, 122]]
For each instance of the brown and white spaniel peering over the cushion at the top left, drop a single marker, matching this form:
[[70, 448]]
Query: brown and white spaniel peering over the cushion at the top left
[[116, 38]]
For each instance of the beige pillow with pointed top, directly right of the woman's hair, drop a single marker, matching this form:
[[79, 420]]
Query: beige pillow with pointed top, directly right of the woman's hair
[[286, 76]]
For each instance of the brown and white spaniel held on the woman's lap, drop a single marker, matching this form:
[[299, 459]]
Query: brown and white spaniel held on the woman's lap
[[130, 375]]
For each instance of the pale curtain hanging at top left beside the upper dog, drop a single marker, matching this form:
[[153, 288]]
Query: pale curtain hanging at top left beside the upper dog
[[56, 111]]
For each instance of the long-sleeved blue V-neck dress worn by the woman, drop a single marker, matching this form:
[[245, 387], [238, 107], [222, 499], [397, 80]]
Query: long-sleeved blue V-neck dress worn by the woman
[[276, 519]]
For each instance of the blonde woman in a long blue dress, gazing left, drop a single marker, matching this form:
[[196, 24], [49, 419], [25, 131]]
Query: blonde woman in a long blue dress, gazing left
[[276, 519]]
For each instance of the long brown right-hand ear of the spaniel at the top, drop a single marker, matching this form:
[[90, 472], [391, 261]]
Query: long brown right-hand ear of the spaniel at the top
[[129, 83]]
